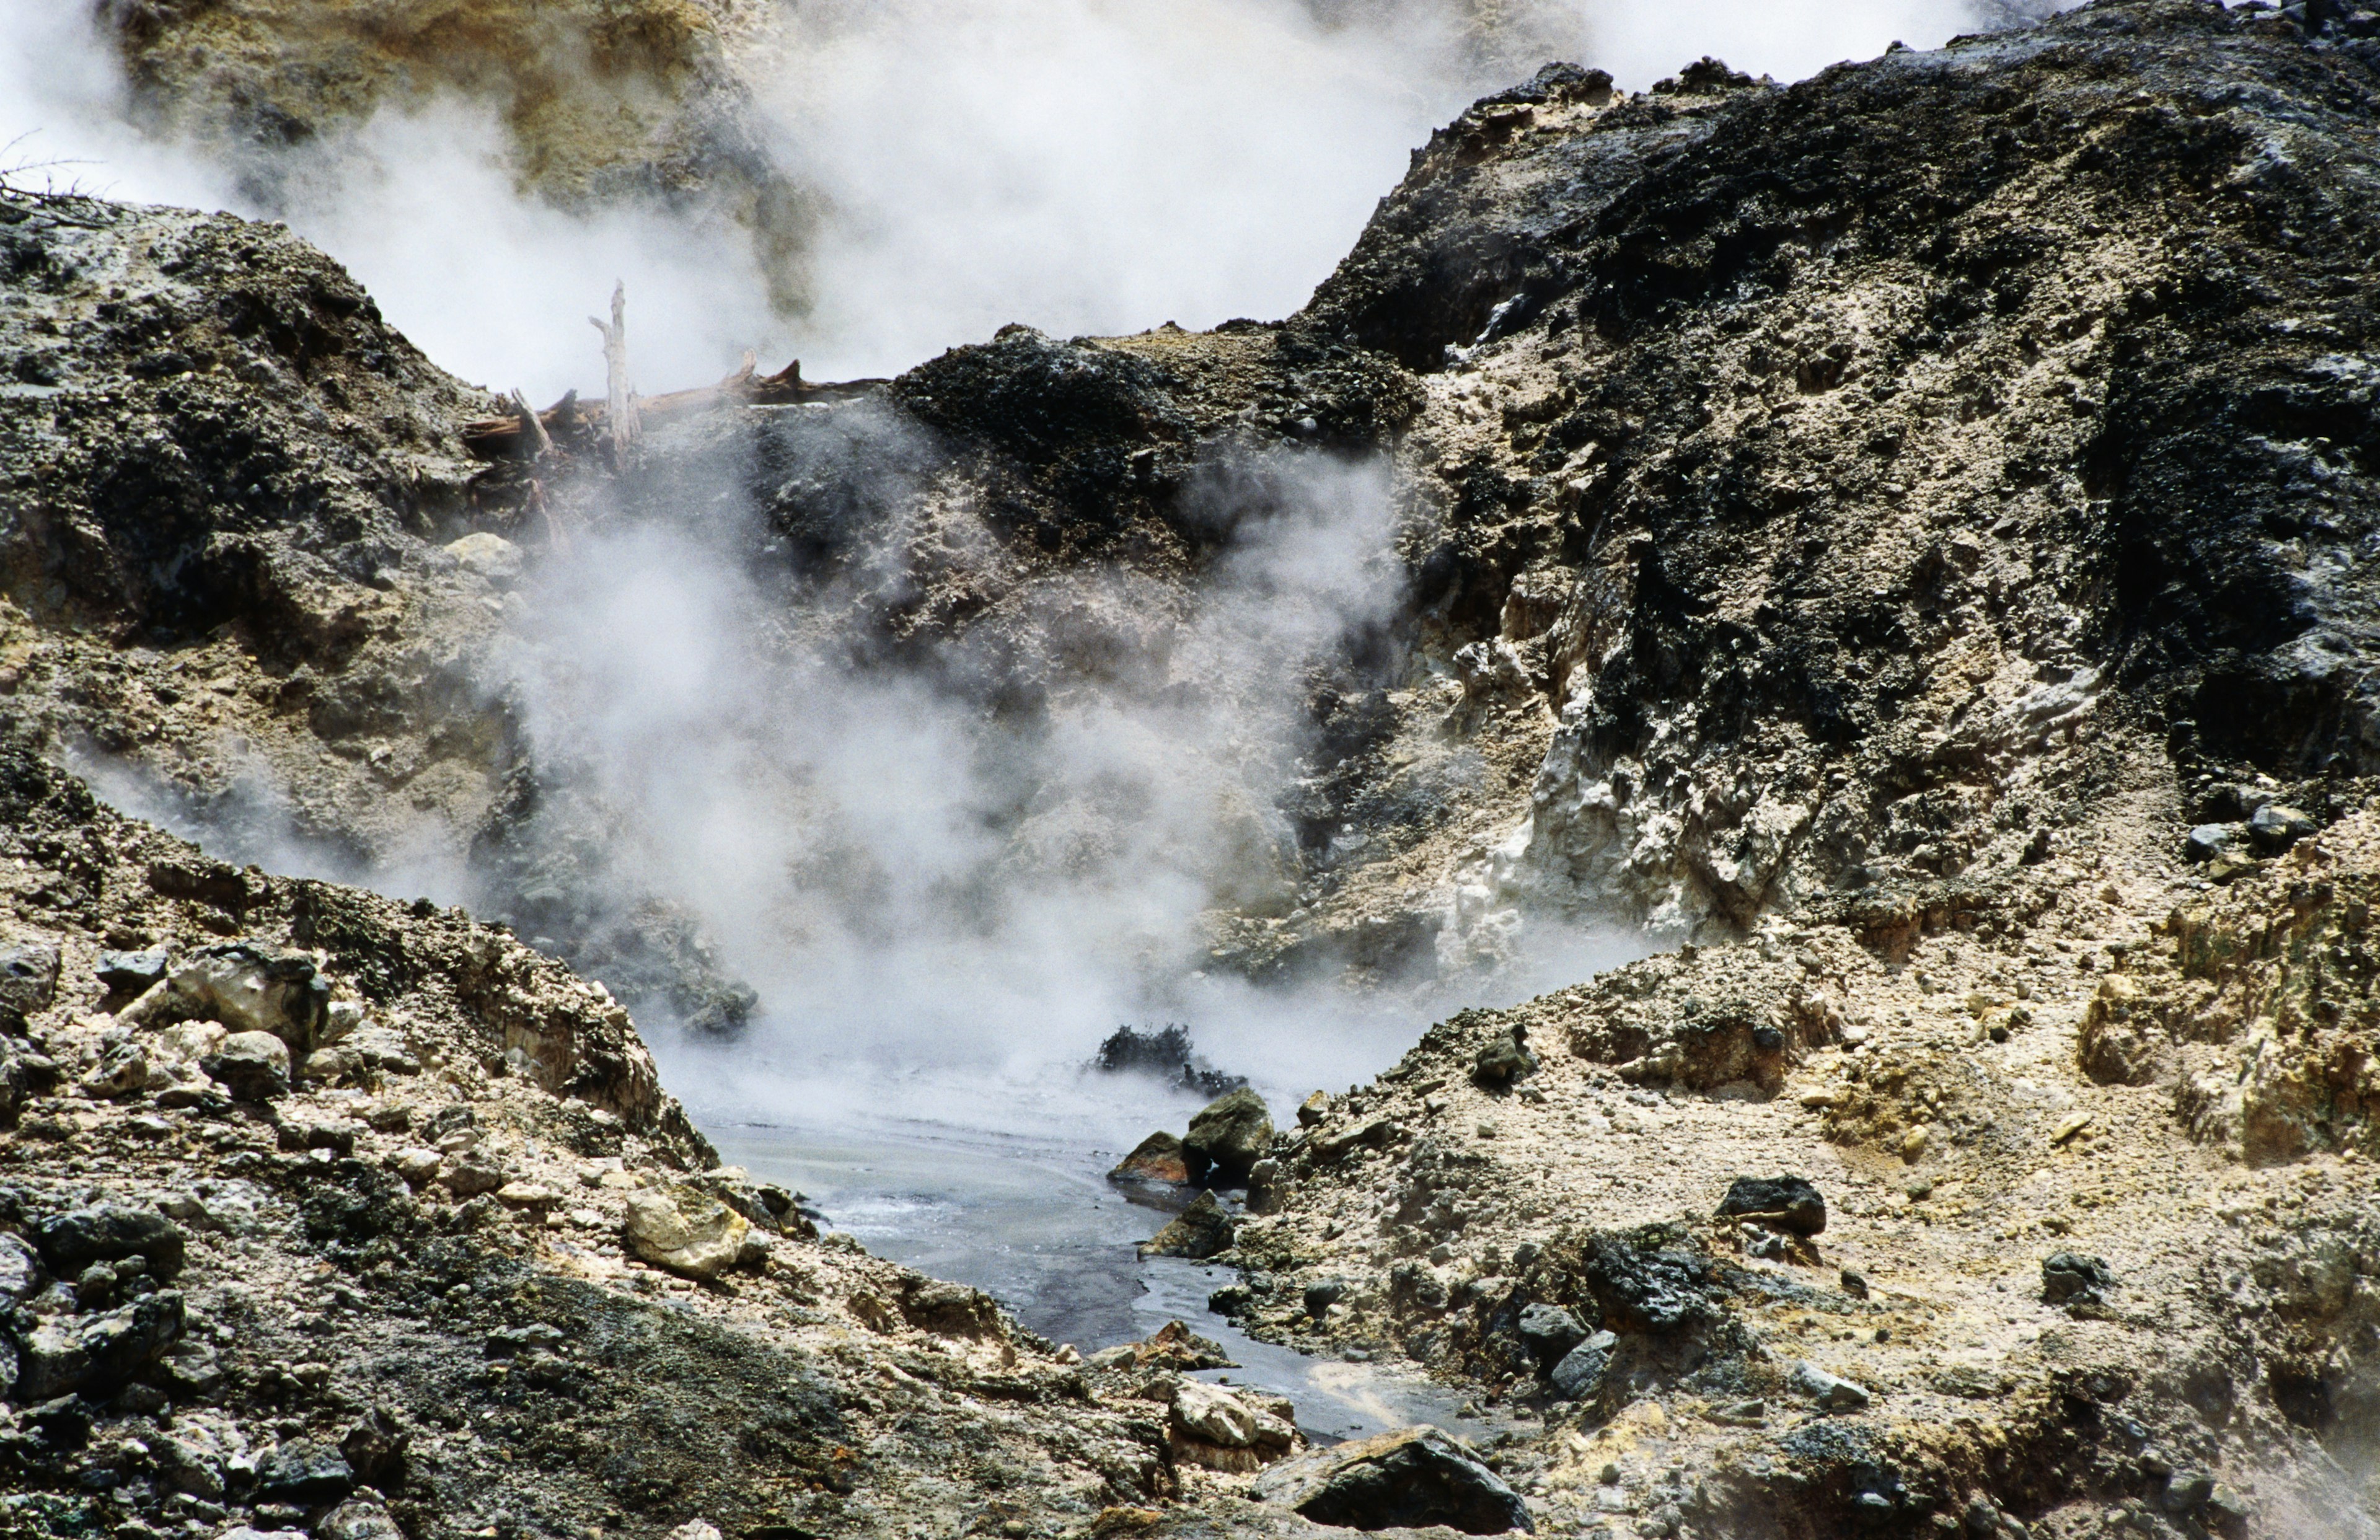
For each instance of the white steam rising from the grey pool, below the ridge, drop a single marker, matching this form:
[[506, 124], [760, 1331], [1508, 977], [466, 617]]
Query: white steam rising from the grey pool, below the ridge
[[894, 863]]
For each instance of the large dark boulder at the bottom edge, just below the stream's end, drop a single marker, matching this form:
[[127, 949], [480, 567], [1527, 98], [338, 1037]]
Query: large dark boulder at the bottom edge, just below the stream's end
[[1403, 1479]]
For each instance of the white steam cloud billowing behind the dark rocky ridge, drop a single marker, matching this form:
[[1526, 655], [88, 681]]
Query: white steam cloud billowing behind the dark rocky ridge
[[1075, 165]]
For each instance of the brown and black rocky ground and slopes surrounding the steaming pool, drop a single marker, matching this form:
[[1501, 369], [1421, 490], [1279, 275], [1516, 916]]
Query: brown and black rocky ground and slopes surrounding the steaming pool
[[1898, 537]]
